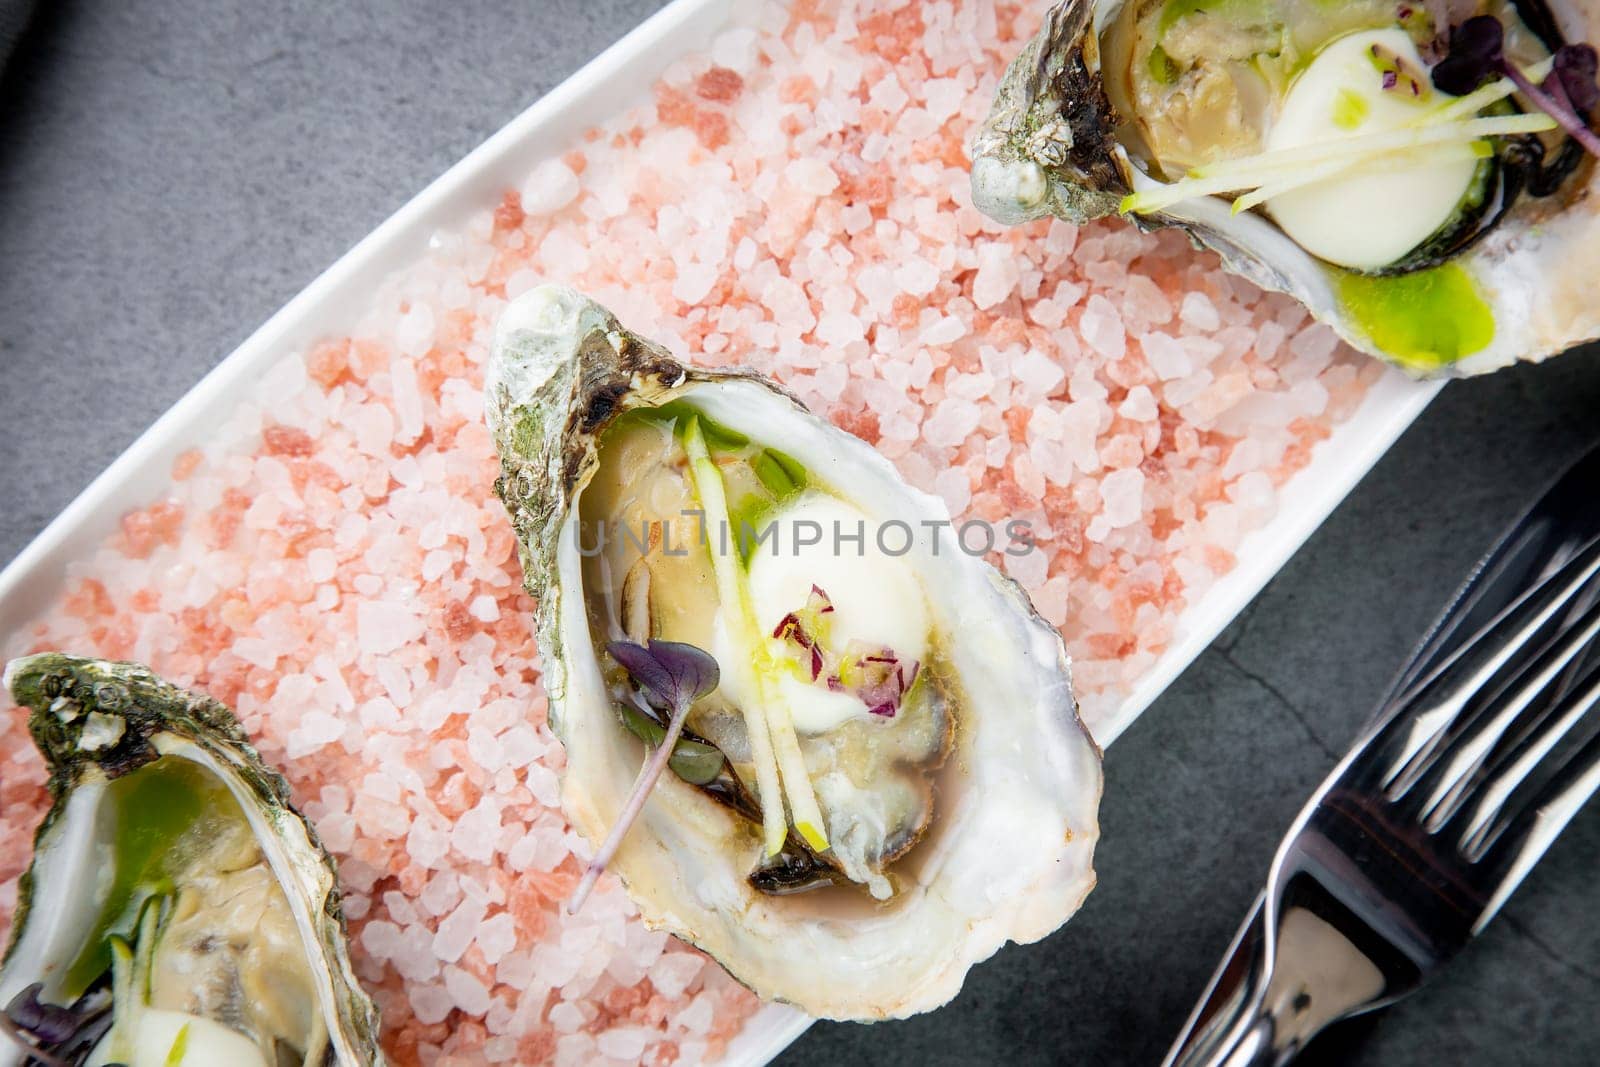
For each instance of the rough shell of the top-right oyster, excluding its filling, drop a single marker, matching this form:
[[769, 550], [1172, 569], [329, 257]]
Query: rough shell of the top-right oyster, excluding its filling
[[1057, 145]]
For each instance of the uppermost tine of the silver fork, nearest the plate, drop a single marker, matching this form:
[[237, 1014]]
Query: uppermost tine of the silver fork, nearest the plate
[[1471, 671]]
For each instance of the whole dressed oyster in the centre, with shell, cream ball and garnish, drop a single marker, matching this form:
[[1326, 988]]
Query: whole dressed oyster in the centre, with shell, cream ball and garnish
[[890, 780]]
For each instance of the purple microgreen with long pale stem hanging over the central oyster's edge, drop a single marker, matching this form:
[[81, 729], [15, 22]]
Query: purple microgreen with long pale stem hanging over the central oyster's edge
[[678, 676]]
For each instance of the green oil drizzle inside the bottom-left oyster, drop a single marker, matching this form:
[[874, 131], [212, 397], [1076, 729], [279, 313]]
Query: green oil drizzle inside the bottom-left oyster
[[156, 821]]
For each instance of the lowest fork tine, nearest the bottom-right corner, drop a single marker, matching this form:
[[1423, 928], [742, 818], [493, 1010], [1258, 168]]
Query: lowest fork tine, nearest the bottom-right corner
[[1514, 845]]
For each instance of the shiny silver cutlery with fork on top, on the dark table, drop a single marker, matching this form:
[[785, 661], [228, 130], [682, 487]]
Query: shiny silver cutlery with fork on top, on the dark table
[[1473, 767]]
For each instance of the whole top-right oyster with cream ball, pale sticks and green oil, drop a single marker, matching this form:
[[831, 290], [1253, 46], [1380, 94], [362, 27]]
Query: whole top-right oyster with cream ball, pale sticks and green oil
[[1450, 236]]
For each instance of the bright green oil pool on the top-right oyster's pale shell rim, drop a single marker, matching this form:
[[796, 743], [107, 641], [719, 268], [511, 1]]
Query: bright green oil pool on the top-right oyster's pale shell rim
[[1423, 321]]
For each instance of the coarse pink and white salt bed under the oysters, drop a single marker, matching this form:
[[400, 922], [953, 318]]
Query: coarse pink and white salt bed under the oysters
[[796, 201]]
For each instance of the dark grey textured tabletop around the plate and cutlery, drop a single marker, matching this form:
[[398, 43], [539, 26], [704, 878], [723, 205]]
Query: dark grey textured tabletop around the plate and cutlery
[[175, 170]]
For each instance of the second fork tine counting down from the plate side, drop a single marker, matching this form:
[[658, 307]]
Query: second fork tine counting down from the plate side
[[1500, 719]]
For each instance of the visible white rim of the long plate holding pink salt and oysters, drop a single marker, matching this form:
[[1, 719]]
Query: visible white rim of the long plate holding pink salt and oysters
[[615, 81]]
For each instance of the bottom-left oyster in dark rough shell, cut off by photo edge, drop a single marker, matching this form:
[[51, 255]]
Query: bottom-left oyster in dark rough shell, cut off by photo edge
[[178, 911]]
